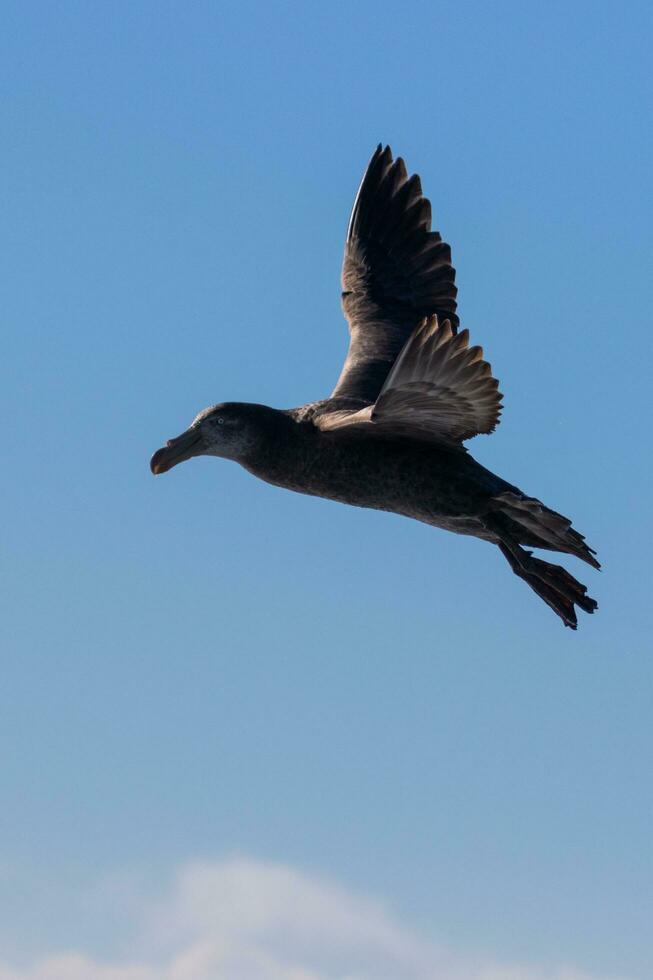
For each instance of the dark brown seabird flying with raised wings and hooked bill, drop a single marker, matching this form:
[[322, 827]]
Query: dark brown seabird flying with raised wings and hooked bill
[[411, 391]]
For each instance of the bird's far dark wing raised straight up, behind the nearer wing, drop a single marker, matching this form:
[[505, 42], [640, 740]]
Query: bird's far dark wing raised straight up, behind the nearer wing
[[395, 272]]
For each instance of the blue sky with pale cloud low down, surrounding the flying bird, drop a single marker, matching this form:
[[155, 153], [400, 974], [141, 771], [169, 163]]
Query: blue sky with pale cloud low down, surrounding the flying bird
[[201, 666]]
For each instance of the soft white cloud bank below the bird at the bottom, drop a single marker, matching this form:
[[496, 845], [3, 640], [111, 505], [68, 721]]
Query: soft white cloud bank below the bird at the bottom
[[249, 920]]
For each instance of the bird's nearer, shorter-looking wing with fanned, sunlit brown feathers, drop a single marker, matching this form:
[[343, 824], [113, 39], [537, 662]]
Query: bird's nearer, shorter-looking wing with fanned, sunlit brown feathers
[[439, 389]]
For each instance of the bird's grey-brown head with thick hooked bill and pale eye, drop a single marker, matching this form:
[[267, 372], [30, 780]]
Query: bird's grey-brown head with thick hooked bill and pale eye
[[233, 430]]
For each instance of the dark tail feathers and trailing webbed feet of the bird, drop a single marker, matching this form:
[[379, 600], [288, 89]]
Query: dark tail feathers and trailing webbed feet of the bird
[[518, 520]]
